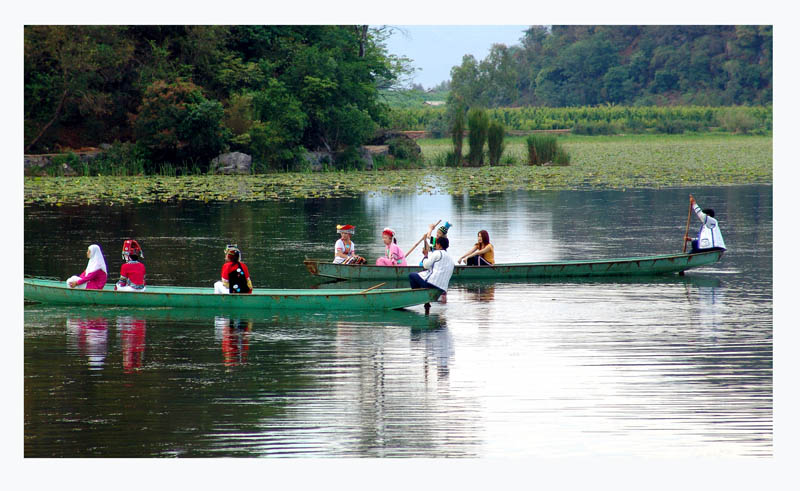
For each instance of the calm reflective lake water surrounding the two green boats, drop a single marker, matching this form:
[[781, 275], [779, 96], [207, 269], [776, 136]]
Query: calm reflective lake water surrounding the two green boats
[[653, 367]]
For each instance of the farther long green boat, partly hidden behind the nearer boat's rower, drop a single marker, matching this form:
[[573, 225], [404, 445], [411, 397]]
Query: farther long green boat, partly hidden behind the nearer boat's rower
[[648, 265]]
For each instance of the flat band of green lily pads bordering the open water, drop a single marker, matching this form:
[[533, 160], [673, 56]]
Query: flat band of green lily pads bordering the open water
[[618, 162]]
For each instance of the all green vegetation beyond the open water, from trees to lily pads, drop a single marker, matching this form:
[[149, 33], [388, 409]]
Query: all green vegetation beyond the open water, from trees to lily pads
[[644, 106]]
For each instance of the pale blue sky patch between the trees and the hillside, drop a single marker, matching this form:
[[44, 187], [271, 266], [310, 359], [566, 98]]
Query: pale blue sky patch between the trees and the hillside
[[436, 49]]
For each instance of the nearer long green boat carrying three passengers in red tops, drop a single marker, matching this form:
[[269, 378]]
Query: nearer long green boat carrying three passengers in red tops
[[56, 292]]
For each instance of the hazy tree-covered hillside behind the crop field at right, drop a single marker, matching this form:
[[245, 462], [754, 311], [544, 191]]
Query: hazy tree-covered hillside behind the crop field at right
[[568, 66]]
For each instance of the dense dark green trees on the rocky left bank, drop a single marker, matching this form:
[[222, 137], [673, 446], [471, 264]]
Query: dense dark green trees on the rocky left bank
[[183, 94]]
